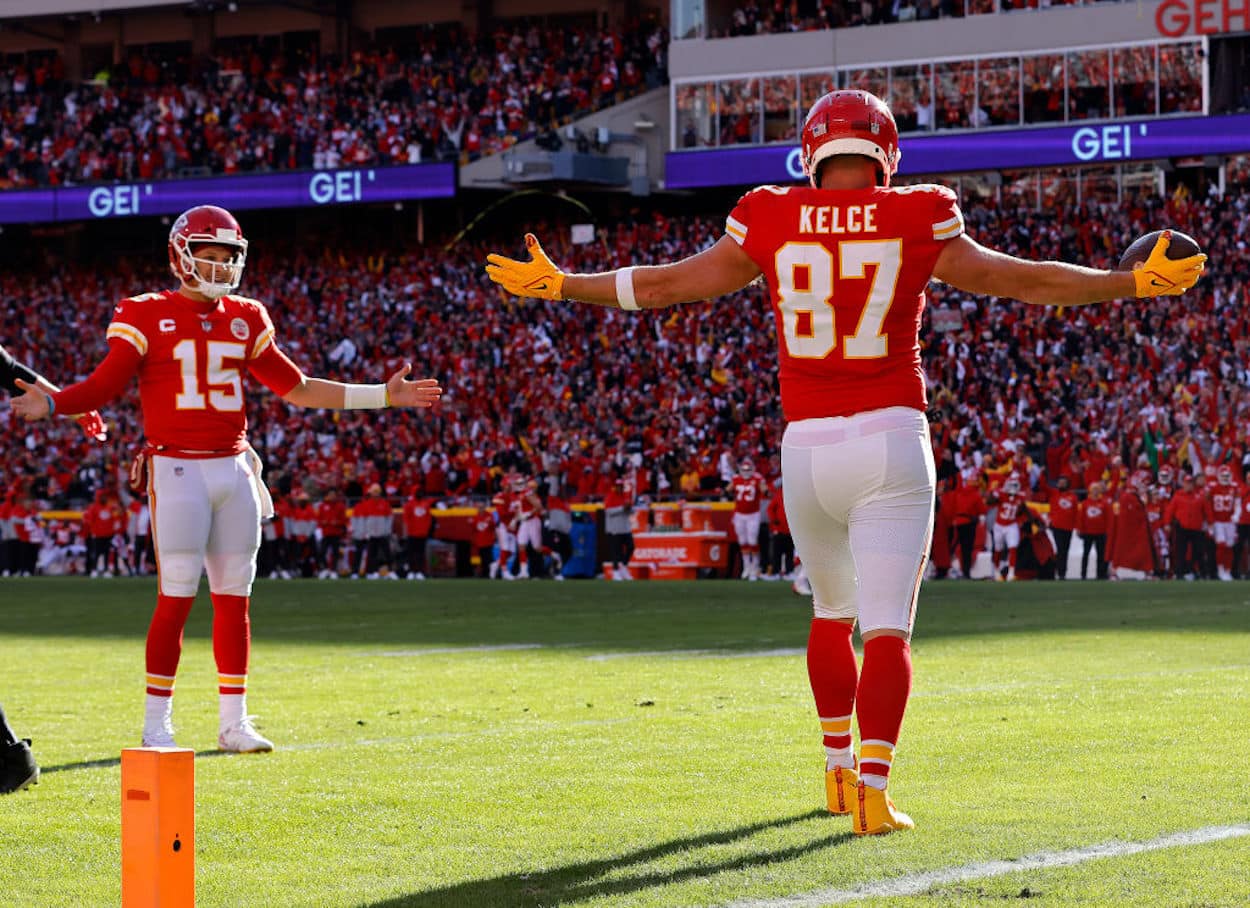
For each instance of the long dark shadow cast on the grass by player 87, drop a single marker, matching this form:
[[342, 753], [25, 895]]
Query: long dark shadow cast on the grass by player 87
[[578, 882]]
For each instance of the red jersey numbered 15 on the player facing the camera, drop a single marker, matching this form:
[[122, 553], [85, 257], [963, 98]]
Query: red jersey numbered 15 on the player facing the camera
[[192, 365]]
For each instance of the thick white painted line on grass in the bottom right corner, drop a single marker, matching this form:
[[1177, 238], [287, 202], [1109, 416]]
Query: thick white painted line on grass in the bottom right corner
[[919, 884]]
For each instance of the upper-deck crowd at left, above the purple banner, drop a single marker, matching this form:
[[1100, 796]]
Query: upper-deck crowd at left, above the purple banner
[[454, 96]]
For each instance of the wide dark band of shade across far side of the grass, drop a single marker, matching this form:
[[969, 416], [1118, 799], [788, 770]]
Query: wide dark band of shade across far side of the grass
[[607, 617]]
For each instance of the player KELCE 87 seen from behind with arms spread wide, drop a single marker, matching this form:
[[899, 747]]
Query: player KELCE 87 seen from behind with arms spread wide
[[847, 261]]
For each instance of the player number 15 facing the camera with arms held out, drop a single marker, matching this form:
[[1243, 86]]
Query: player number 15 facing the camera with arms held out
[[191, 348]]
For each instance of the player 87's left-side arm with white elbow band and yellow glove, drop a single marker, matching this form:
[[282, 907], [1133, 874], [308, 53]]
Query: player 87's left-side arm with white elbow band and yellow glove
[[712, 273]]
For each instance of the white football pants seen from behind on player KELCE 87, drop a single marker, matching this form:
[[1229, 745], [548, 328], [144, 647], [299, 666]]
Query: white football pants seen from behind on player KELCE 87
[[859, 493]]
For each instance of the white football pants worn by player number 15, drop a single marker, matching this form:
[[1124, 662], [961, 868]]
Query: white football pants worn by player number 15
[[206, 517]]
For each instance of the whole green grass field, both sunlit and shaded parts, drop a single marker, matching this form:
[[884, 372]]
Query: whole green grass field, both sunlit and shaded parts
[[471, 744]]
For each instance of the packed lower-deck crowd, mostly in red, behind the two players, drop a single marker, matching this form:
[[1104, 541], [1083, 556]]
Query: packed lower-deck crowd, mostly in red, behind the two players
[[588, 402]]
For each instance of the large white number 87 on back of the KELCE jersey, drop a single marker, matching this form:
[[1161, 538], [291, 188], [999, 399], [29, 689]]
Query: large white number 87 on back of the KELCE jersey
[[806, 295]]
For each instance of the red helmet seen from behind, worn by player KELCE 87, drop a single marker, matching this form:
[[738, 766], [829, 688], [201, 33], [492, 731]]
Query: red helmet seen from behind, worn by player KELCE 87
[[851, 123]]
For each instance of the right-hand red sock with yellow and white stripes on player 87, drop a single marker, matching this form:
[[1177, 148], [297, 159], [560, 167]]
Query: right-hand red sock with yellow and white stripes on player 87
[[886, 685]]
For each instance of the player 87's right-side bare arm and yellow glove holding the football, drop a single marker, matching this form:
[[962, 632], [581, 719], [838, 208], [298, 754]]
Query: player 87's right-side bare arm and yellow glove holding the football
[[967, 265]]
